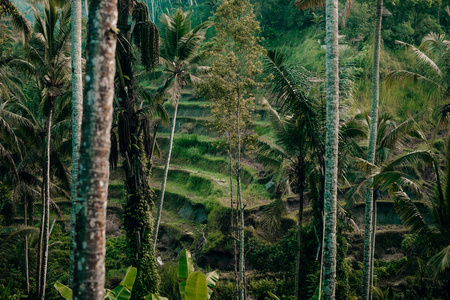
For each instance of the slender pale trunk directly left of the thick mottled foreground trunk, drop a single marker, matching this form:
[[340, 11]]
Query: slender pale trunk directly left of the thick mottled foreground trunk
[[77, 114]]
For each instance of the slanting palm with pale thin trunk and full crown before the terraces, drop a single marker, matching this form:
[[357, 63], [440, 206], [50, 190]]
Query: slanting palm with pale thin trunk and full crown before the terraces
[[179, 50]]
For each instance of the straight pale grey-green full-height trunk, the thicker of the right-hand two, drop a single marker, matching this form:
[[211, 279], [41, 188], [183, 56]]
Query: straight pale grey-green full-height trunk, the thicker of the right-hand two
[[331, 149]]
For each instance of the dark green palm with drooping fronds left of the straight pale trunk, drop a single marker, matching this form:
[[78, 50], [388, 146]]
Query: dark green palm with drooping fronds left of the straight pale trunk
[[297, 131]]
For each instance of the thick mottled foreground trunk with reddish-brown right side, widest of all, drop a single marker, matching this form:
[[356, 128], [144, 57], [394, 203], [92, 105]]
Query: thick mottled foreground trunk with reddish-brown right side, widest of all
[[93, 177]]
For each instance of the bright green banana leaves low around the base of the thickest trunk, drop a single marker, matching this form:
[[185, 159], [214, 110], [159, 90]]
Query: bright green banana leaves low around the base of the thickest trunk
[[121, 292]]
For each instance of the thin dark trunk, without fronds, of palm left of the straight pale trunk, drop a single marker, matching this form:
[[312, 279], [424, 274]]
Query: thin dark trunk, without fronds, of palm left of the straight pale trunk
[[301, 184]]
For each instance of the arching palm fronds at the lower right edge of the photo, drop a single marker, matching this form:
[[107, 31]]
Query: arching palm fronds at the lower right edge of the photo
[[431, 236]]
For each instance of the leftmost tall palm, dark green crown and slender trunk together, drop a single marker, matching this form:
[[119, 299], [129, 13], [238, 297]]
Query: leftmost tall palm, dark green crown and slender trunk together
[[47, 60]]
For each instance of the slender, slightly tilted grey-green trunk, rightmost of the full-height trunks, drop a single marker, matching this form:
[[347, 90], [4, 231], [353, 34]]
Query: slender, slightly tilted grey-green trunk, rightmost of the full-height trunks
[[369, 224]]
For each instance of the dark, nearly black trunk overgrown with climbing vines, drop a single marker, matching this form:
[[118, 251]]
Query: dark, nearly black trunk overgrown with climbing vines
[[138, 221]]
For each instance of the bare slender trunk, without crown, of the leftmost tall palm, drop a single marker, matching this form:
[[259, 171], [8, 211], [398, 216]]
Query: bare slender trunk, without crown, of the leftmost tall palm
[[46, 207]]
